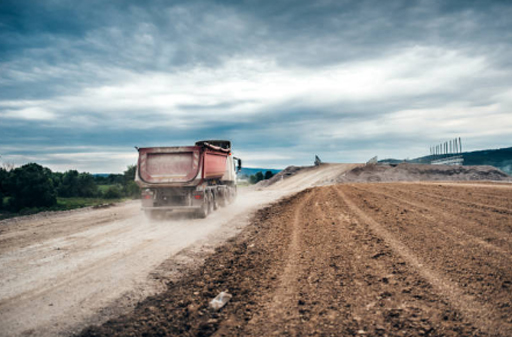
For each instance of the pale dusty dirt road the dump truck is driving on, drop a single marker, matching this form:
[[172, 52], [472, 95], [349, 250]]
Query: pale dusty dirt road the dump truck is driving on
[[62, 271]]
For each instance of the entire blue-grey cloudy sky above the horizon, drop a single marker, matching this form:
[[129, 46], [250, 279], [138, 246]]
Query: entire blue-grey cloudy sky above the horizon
[[83, 82]]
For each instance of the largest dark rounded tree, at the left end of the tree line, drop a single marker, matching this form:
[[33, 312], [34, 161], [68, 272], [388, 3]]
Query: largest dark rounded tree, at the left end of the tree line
[[31, 186]]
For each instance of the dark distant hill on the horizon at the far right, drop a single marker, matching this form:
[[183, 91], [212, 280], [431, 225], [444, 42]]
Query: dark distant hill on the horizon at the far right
[[499, 158]]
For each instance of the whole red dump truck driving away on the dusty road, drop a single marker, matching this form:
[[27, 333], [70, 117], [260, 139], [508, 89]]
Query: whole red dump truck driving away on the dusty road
[[194, 179]]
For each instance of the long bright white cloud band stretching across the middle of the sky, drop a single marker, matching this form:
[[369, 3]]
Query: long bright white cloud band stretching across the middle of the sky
[[248, 87]]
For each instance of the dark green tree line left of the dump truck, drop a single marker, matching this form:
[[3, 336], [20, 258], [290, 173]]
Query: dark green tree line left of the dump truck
[[34, 186]]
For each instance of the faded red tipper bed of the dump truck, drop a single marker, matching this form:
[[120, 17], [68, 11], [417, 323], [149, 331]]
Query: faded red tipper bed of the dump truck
[[183, 164]]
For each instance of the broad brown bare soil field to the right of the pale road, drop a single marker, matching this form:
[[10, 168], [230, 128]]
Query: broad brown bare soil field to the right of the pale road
[[401, 259]]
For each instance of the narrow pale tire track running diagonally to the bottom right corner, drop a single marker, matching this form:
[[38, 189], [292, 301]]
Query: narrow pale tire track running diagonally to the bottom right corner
[[482, 315]]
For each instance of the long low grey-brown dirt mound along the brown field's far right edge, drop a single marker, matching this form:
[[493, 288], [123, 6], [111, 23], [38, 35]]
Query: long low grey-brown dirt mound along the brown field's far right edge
[[421, 172]]
